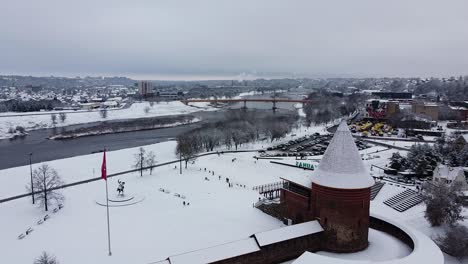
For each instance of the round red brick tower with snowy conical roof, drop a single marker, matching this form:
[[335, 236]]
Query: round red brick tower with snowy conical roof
[[341, 195]]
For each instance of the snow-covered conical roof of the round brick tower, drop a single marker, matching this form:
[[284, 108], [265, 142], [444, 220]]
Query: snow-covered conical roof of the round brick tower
[[341, 166]]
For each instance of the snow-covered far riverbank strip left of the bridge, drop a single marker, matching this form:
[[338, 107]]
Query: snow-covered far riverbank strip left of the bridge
[[136, 110]]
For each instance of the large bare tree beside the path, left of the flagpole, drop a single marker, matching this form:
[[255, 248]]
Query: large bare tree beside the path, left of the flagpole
[[45, 179]]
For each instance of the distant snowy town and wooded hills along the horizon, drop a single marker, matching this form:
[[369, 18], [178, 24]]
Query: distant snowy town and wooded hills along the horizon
[[437, 98]]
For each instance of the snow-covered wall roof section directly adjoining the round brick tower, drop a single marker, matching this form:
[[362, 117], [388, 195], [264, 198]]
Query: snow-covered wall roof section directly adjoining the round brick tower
[[289, 232]]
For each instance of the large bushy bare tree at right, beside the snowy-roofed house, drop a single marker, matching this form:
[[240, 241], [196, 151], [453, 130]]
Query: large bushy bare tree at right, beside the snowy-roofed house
[[443, 203]]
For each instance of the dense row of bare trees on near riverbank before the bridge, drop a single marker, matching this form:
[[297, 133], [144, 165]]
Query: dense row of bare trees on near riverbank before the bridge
[[238, 128]]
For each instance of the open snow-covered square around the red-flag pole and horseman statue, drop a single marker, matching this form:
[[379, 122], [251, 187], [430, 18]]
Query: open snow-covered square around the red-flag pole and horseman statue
[[153, 229]]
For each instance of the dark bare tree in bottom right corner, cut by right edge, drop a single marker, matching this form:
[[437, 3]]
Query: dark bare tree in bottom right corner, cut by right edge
[[455, 241]]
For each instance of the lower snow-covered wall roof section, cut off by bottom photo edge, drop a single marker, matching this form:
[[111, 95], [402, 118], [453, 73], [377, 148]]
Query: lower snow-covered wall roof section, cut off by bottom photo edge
[[224, 251]]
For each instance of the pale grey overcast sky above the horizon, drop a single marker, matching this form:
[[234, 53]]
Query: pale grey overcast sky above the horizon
[[158, 39]]
